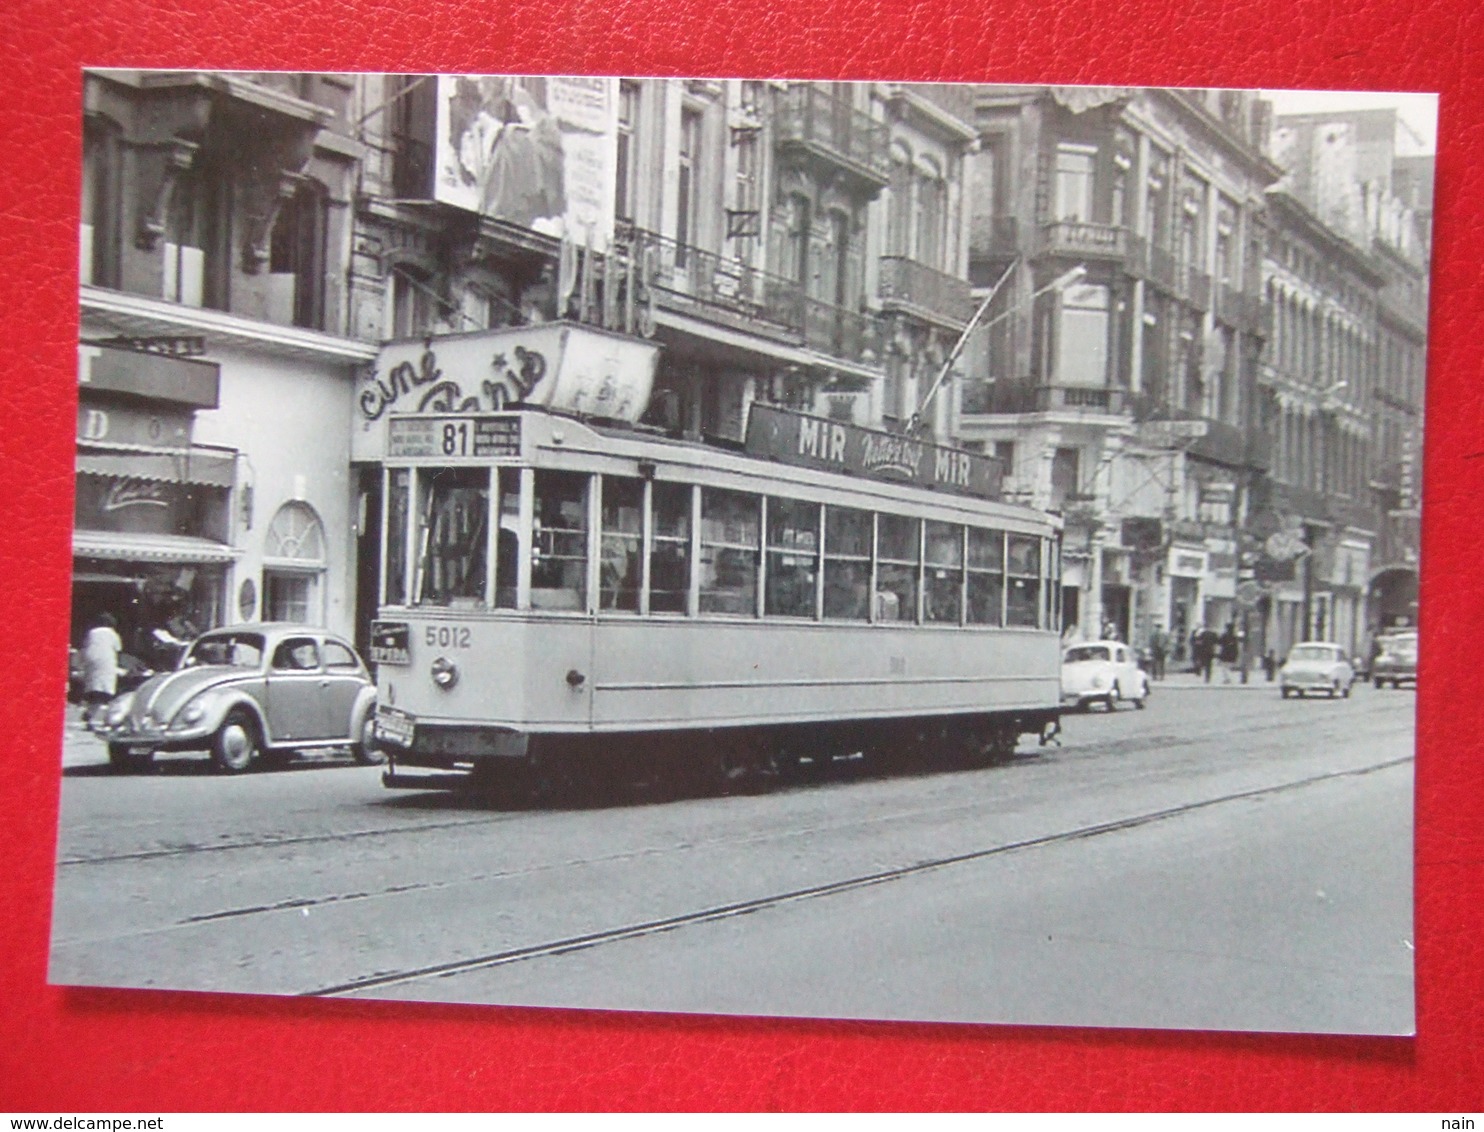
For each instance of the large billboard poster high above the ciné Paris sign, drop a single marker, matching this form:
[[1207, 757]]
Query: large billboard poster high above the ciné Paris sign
[[539, 152]]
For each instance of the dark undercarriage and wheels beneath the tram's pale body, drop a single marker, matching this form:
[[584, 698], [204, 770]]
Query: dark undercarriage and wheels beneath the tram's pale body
[[725, 760]]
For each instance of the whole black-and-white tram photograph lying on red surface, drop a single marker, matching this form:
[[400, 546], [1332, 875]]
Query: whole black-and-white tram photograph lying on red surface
[[777, 548]]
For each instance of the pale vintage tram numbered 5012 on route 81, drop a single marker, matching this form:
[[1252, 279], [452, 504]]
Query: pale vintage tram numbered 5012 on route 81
[[560, 591]]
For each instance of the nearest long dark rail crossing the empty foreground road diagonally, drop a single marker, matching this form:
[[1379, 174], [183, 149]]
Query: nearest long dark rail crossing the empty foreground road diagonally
[[738, 909]]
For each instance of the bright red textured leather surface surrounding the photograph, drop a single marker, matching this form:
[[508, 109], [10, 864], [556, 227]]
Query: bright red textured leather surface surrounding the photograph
[[154, 1051]]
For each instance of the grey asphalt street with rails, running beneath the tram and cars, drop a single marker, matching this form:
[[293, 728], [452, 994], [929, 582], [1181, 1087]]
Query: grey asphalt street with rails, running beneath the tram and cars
[[1224, 860]]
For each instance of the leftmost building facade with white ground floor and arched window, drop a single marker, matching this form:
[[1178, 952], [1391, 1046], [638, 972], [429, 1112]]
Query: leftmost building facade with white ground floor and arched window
[[216, 375]]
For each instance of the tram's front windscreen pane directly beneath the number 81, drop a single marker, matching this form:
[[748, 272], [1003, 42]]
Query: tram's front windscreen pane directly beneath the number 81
[[455, 536]]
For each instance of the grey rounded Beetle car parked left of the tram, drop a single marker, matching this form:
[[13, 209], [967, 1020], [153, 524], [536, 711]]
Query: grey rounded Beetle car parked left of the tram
[[246, 692]]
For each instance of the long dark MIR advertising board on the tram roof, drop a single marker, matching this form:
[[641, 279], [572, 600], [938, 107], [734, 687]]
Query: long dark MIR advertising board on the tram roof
[[796, 438]]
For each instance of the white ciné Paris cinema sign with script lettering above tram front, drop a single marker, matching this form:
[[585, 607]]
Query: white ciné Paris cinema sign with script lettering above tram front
[[559, 366]]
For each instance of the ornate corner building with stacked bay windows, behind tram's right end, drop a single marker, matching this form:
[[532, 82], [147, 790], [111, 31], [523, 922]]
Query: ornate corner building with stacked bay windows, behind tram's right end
[[1117, 376]]
